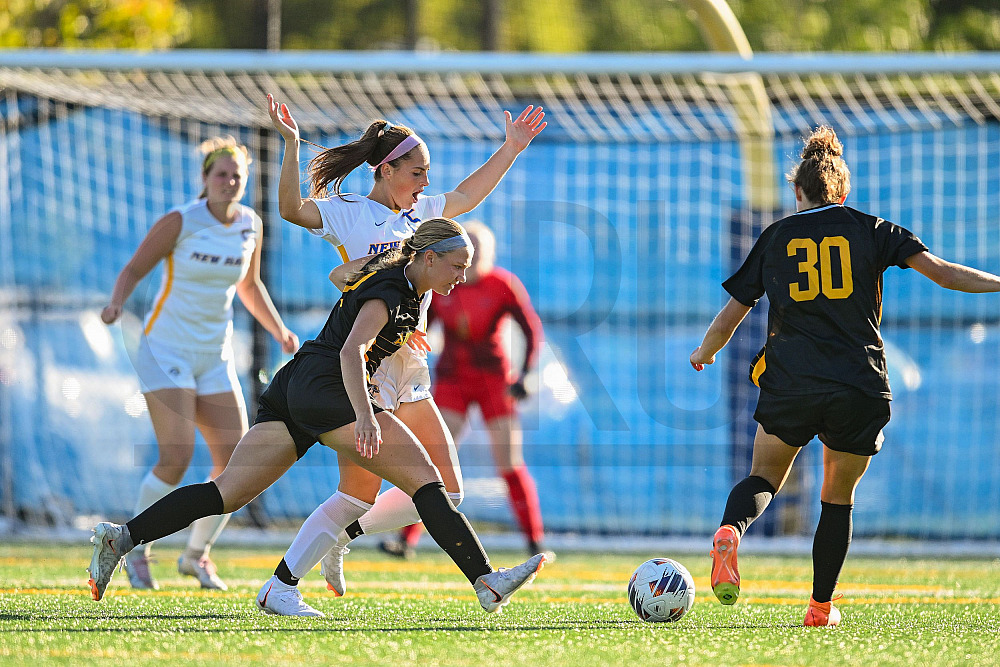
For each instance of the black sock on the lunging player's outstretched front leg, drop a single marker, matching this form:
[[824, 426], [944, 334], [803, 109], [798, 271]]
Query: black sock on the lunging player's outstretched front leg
[[451, 530]]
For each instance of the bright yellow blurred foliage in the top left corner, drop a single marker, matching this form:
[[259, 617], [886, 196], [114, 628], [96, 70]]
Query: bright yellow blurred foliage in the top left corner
[[125, 24]]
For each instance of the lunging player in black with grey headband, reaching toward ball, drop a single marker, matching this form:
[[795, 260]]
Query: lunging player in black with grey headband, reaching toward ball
[[323, 395]]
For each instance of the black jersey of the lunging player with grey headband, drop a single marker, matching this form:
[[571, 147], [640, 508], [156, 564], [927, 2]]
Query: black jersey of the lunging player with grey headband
[[402, 301]]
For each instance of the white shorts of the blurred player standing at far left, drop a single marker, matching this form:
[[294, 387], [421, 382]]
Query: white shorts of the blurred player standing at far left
[[162, 366]]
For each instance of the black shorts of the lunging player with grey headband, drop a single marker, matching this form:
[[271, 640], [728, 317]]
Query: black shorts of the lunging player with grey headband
[[308, 395]]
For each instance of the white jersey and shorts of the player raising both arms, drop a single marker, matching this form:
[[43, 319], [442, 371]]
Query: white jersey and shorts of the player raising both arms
[[359, 227]]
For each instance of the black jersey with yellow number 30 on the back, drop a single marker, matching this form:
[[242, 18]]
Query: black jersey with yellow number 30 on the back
[[822, 272]]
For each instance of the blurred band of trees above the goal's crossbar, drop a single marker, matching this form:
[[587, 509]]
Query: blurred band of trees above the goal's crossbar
[[513, 25]]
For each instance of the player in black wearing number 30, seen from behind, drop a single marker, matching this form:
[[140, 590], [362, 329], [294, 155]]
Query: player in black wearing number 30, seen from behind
[[822, 370]]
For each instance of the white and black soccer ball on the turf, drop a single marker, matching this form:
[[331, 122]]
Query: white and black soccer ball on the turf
[[661, 590]]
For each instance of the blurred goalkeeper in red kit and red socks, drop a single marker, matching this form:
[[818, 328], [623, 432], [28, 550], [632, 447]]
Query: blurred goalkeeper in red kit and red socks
[[474, 369]]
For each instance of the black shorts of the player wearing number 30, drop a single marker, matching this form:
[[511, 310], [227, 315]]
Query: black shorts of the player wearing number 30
[[846, 420]]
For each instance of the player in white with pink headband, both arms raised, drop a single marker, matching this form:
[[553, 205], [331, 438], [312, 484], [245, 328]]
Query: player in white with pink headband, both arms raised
[[360, 226]]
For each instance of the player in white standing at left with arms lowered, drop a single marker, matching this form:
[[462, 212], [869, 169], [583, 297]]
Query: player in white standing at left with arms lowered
[[211, 250]]
